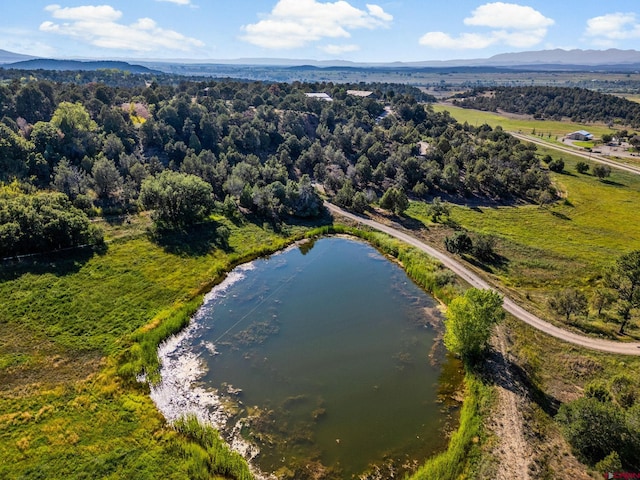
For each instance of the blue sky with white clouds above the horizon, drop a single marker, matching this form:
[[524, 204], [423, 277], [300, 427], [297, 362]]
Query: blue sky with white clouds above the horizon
[[366, 31]]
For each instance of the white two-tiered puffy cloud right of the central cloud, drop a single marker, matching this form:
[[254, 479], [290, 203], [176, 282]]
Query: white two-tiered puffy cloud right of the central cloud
[[513, 25]]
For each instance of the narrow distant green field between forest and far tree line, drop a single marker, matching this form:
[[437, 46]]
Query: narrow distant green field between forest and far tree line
[[548, 128]]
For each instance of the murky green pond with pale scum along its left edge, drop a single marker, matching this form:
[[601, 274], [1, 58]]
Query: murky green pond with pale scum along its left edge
[[318, 362]]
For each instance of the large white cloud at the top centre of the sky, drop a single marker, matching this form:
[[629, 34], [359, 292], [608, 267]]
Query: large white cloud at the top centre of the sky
[[295, 23]]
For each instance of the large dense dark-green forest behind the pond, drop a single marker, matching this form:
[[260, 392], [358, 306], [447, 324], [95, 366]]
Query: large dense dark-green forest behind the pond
[[119, 143]]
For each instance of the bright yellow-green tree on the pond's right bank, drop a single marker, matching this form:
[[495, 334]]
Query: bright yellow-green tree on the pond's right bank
[[469, 321]]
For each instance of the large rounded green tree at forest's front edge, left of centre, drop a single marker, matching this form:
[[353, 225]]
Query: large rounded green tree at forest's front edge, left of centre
[[179, 200]]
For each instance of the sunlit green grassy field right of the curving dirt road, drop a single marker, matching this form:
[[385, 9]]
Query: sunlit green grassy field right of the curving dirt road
[[569, 243]]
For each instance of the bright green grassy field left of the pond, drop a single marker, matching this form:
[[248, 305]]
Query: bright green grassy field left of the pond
[[69, 324]]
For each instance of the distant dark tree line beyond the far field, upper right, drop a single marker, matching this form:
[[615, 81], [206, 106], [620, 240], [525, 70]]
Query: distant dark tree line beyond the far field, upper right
[[578, 104]]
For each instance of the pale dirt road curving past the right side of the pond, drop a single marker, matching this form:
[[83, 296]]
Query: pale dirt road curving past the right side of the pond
[[509, 305]]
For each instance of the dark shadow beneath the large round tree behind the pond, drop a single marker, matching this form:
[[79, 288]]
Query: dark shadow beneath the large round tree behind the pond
[[197, 241]]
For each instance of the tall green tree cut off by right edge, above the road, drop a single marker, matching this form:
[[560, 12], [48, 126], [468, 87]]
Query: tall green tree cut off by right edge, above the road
[[624, 278]]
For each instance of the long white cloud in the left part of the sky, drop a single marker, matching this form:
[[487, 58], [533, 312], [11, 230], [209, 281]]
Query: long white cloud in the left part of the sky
[[98, 26]]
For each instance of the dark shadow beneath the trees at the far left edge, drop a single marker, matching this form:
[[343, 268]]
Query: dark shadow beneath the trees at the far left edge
[[60, 263]]
